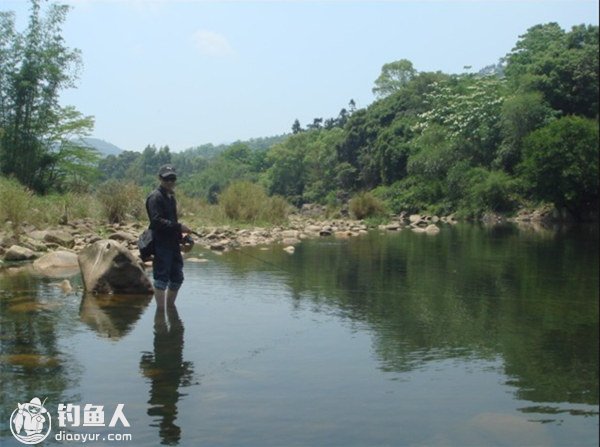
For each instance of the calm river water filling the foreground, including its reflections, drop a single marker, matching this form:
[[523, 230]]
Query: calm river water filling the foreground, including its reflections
[[476, 336]]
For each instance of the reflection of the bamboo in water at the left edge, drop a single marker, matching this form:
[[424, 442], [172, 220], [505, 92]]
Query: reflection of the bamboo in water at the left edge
[[32, 326]]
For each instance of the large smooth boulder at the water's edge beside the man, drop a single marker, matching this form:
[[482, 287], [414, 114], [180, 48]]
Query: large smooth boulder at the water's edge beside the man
[[109, 267]]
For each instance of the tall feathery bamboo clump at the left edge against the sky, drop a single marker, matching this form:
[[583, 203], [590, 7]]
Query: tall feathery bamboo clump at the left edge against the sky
[[35, 66]]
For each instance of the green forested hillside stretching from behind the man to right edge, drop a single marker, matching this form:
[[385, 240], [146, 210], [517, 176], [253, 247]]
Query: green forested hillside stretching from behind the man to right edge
[[522, 132]]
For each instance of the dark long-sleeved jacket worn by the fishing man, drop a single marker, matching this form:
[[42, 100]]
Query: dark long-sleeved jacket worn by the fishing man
[[162, 212]]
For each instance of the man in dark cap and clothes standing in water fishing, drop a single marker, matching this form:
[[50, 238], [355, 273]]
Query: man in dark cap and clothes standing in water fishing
[[167, 234]]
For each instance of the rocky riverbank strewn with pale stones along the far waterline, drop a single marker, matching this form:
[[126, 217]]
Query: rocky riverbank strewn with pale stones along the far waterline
[[307, 224]]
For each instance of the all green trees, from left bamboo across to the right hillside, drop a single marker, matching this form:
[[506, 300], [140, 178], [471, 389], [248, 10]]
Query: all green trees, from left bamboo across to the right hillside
[[523, 131]]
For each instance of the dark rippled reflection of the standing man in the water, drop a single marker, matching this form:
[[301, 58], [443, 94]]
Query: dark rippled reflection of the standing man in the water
[[167, 371]]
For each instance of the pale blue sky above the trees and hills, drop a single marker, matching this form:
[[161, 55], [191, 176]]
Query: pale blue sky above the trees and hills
[[186, 73]]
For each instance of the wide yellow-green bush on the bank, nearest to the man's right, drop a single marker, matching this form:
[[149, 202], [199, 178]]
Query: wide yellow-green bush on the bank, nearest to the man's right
[[247, 202]]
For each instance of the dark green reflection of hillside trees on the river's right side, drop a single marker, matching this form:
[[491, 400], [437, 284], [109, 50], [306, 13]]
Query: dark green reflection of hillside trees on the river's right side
[[469, 293]]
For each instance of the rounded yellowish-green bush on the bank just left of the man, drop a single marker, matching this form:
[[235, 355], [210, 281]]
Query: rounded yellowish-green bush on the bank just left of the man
[[118, 200]]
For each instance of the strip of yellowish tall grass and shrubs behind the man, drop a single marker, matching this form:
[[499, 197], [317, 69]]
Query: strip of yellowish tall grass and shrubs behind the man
[[116, 202]]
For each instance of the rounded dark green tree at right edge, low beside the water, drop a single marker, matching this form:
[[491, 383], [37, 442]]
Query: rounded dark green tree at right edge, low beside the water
[[560, 162]]
